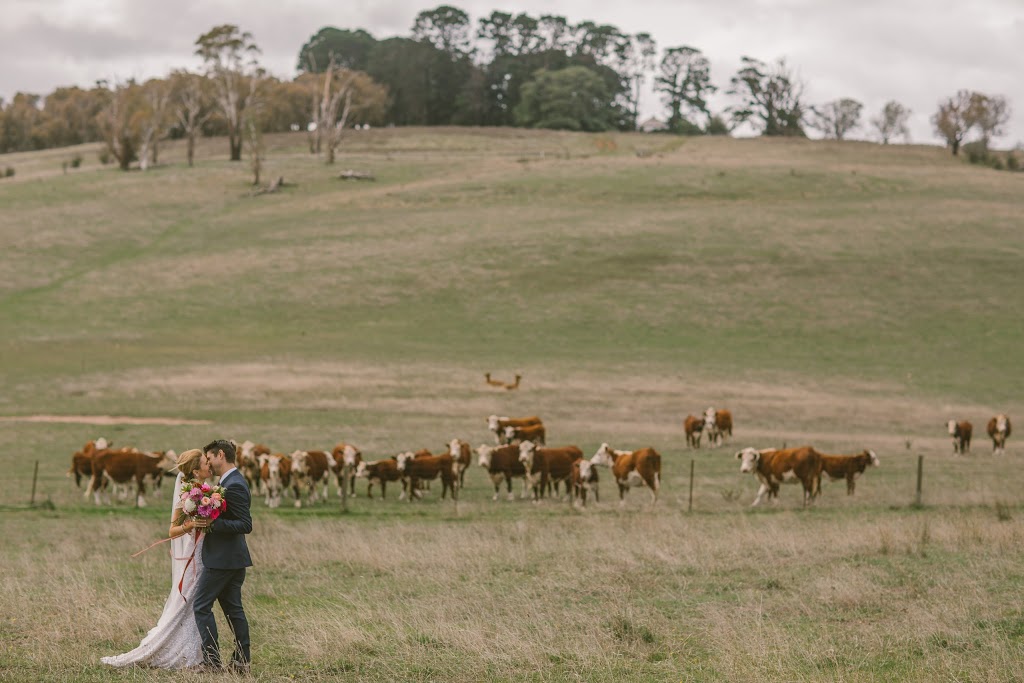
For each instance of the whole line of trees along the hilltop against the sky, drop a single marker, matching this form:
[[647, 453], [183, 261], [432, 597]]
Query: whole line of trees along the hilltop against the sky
[[506, 70]]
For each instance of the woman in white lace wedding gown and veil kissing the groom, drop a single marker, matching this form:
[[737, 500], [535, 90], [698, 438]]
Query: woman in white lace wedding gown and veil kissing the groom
[[175, 643]]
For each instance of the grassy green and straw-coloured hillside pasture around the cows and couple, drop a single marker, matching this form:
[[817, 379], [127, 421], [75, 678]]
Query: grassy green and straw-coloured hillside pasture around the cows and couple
[[844, 295]]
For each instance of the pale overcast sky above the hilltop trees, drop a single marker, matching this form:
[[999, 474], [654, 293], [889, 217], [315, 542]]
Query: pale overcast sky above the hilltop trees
[[916, 52]]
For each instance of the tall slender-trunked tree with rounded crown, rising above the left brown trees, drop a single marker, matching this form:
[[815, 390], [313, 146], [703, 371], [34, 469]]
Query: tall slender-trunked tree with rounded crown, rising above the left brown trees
[[231, 61]]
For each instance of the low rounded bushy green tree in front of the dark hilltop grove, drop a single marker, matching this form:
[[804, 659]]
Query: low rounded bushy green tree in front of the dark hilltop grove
[[573, 99]]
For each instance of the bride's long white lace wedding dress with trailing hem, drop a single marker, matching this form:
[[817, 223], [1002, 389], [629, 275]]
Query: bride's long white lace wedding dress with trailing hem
[[175, 643]]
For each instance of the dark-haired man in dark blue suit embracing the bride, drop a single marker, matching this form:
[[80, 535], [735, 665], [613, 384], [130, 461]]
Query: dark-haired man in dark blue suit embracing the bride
[[226, 559]]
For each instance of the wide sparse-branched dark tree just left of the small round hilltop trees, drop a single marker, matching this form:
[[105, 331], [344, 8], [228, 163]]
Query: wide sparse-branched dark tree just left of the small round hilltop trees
[[771, 98]]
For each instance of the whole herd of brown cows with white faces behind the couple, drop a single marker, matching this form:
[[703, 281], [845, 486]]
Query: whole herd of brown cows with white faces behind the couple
[[520, 452]]
